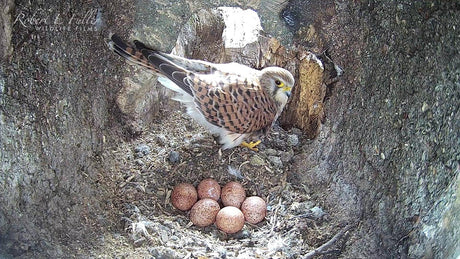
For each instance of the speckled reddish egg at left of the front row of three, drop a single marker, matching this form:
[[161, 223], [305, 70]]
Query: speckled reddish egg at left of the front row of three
[[204, 212]]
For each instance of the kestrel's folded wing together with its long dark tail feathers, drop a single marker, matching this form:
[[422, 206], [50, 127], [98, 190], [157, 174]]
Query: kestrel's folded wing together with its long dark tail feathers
[[226, 94]]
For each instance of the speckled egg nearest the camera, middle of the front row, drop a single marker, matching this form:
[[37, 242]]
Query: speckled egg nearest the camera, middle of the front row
[[230, 219]]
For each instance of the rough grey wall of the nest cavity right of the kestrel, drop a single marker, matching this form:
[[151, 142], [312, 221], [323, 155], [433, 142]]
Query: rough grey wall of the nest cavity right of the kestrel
[[386, 160]]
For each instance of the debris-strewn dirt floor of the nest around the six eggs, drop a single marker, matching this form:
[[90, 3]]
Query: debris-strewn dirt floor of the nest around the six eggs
[[147, 169]]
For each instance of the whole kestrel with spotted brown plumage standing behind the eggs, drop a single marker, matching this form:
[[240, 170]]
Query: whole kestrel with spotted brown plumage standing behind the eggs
[[234, 102]]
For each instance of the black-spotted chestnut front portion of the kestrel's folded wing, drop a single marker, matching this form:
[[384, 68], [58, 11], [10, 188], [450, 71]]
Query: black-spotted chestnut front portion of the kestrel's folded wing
[[237, 104]]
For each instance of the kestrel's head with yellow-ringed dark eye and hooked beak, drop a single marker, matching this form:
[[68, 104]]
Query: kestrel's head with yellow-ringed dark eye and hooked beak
[[278, 82]]
